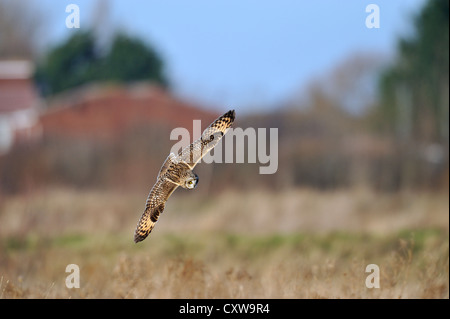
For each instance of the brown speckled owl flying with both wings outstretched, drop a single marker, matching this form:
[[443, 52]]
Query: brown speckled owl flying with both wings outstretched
[[177, 171]]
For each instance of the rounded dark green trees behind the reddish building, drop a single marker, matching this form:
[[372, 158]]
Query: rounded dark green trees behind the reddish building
[[79, 60]]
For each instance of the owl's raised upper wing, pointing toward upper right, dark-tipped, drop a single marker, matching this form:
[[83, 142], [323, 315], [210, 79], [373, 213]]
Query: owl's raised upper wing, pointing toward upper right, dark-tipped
[[211, 136]]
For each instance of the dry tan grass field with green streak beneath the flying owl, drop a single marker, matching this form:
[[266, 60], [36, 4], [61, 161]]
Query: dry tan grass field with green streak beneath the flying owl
[[296, 244]]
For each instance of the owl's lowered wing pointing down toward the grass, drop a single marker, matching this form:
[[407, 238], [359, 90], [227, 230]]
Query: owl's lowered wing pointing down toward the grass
[[154, 206]]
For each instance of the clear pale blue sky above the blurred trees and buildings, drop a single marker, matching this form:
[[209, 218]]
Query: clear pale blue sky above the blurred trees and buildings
[[229, 53]]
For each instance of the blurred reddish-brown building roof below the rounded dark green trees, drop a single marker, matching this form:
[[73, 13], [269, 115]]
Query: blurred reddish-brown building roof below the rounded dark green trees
[[102, 111]]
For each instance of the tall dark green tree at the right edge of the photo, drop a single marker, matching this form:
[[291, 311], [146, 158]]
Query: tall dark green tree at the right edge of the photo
[[415, 91]]
